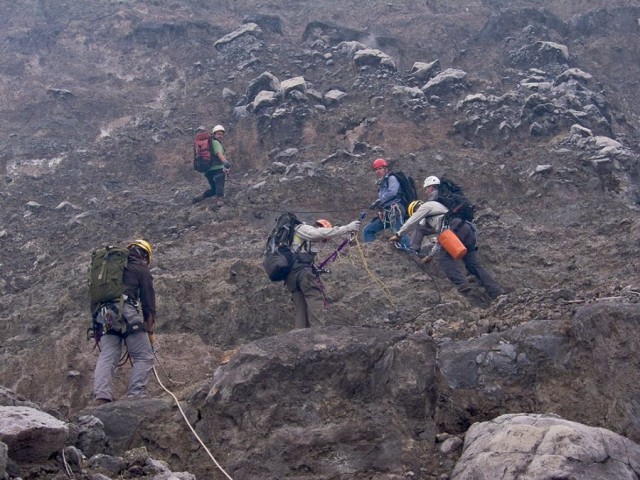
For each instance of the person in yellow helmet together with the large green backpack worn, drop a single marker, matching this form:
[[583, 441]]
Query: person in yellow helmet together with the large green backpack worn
[[127, 319]]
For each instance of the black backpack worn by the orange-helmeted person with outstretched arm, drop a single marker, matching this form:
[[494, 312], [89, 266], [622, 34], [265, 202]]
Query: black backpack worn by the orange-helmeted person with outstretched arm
[[278, 257]]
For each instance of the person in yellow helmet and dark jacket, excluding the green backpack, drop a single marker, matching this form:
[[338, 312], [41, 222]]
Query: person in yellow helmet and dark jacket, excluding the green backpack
[[132, 326]]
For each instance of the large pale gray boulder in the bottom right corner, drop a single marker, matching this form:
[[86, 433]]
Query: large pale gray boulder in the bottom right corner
[[539, 446]]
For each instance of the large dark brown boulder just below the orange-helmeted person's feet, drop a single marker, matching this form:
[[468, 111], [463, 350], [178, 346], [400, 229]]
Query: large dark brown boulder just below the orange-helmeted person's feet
[[322, 403]]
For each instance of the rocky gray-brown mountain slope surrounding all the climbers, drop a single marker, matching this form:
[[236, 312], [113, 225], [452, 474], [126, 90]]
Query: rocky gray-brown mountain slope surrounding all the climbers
[[531, 106]]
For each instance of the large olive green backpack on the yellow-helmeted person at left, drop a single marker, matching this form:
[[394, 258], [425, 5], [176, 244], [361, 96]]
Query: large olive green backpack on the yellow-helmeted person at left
[[105, 274]]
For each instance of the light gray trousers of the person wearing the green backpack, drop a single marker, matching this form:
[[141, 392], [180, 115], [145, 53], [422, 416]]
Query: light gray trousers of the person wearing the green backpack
[[139, 349]]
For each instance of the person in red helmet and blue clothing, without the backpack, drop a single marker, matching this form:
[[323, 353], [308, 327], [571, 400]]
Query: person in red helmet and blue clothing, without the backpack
[[389, 203]]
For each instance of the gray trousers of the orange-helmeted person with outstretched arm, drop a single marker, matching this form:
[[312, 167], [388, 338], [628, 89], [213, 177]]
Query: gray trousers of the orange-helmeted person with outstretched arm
[[308, 299]]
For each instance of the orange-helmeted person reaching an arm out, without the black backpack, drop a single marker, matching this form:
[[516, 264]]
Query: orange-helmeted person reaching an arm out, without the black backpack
[[304, 279]]
